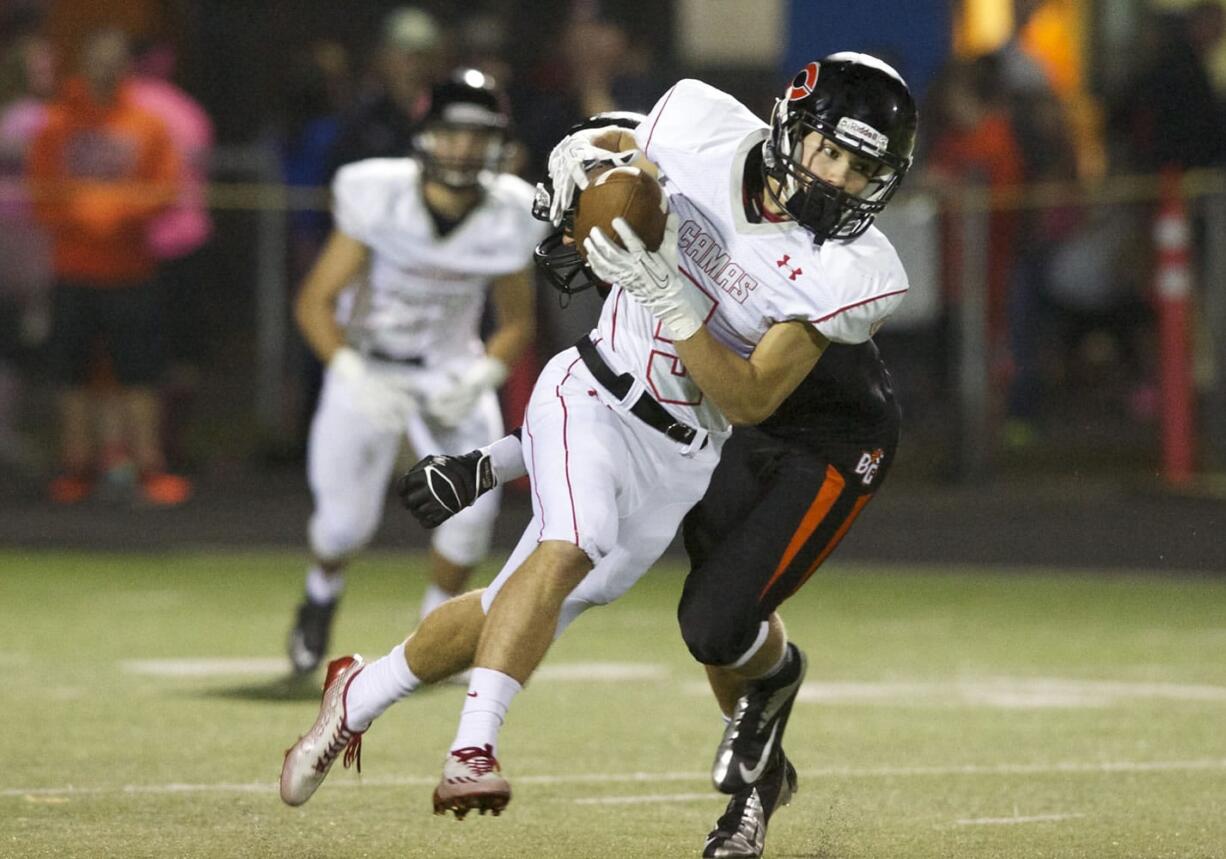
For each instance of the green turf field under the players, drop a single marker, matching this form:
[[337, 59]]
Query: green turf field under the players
[[946, 714]]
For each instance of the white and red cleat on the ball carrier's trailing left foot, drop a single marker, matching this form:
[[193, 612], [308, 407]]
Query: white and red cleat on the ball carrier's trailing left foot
[[310, 759]]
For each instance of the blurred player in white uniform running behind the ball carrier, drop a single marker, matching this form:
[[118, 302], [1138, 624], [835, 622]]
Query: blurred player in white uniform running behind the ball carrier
[[393, 307]]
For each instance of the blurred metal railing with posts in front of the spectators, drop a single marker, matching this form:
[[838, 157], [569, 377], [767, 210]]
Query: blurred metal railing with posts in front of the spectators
[[248, 180]]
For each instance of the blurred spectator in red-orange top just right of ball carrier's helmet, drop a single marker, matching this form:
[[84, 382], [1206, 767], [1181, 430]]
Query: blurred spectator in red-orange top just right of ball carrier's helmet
[[975, 145]]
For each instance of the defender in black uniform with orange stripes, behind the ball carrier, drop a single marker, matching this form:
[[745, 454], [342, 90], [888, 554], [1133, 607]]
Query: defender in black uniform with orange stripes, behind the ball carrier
[[784, 496]]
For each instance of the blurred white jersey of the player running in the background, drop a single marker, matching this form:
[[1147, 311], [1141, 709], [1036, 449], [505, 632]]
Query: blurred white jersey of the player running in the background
[[426, 293]]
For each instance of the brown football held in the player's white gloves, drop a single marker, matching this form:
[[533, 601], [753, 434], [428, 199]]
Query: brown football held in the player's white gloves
[[622, 193]]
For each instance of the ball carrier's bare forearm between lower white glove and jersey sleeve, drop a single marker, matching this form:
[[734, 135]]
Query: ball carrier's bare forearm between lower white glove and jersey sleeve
[[731, 382]]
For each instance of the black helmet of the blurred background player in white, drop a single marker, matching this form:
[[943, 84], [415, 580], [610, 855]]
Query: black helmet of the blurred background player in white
[[468, 101]]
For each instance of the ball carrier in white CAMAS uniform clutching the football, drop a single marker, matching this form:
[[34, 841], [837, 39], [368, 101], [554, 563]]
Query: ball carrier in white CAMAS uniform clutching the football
[[623, 431]]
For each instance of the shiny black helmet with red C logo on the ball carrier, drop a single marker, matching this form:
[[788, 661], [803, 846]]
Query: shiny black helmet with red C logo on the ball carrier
[[864, 106]]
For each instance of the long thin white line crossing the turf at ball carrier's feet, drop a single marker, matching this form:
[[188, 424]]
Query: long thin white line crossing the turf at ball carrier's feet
[[649, 778]]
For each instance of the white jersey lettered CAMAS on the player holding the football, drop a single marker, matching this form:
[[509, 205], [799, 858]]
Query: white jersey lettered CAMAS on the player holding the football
[[755, 275]]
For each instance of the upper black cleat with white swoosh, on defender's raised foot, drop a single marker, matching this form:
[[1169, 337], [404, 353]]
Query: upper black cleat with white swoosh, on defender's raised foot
[[757, 727]]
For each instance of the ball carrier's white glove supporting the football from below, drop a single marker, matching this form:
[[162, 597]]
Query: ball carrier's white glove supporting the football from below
[[652, 278]]
